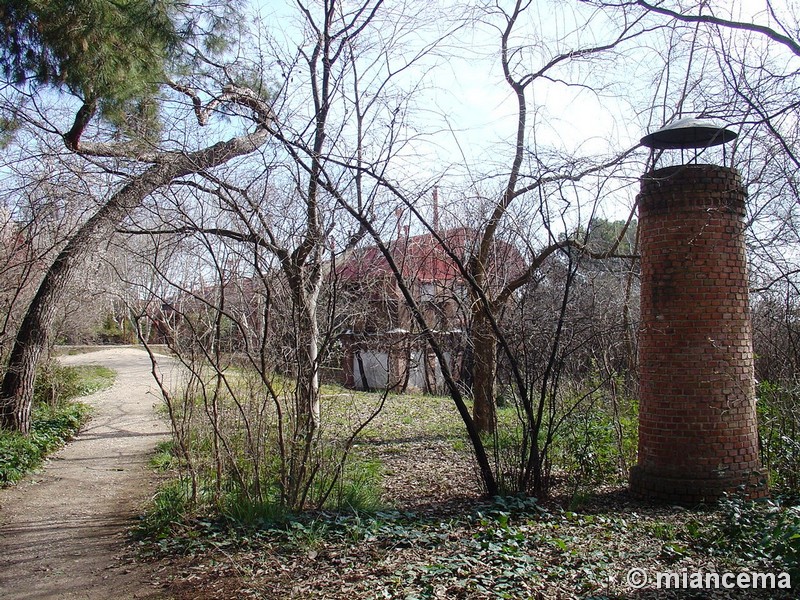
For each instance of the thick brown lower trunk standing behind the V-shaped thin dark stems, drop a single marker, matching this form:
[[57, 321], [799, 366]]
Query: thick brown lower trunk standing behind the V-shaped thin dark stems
[[484, 349]]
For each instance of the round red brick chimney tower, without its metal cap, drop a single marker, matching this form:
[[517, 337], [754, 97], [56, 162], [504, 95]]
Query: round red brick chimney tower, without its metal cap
[[697, 418]]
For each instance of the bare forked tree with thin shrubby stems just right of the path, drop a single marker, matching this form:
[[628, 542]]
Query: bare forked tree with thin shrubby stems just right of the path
[[271, 231]]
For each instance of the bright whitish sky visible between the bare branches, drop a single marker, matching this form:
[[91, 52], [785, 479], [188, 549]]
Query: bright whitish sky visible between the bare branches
[[466, 114]]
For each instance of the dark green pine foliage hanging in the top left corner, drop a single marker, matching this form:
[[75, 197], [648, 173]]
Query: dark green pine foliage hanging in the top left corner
[[111, 55]]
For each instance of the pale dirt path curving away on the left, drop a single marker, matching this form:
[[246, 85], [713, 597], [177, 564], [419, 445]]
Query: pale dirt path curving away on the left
[[63, 530]]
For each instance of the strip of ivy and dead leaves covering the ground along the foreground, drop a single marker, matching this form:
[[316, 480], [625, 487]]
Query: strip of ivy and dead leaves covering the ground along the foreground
[[500, 548]]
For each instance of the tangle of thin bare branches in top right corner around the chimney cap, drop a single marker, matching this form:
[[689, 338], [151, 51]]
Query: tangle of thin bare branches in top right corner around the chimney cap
[[736, 63]]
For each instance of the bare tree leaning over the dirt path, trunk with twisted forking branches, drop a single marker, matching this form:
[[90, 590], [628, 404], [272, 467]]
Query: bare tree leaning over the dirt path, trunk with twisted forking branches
[[140, 167]]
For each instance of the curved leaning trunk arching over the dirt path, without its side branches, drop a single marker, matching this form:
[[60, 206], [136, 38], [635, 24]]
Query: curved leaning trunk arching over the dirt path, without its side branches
[[16, 392]]
